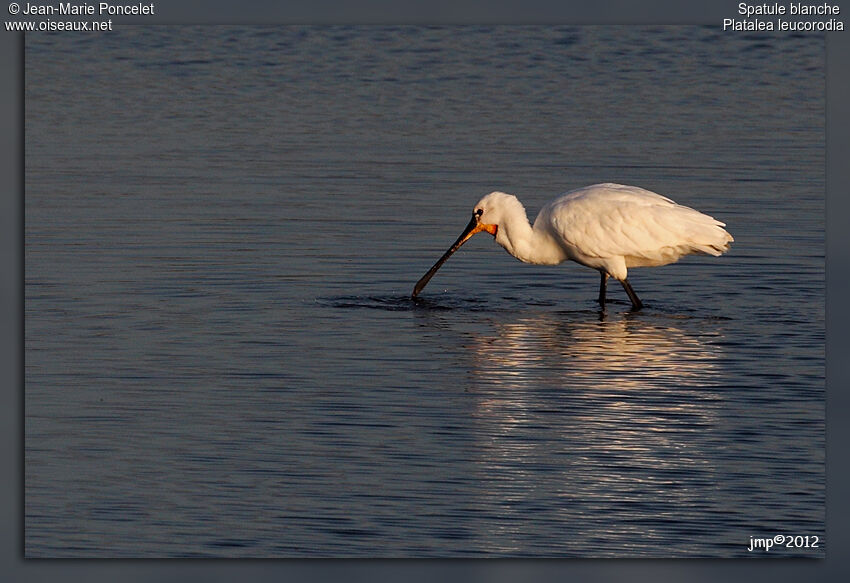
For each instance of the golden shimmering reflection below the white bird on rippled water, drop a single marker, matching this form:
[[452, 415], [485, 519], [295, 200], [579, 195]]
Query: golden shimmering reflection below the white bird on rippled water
[[593, 420]]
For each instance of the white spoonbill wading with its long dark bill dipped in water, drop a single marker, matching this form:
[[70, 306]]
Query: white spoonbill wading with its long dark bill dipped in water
[[609, 227]]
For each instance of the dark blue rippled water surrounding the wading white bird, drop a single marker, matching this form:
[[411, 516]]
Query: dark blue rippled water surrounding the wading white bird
[[223, 227]]
